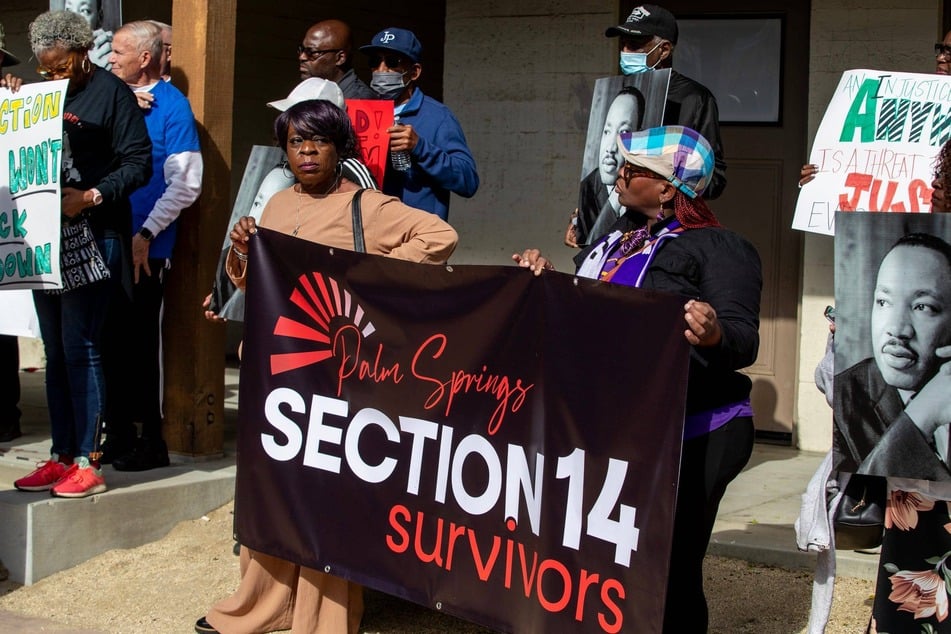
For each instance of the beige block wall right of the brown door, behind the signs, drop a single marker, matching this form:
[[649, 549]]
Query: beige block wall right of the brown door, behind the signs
[[848, 34]]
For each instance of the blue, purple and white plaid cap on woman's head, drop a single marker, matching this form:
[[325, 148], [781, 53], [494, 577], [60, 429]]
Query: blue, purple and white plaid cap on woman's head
[[679, 154]]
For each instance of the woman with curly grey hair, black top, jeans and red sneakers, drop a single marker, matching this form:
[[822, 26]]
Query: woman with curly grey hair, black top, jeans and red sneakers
[[106, 156]]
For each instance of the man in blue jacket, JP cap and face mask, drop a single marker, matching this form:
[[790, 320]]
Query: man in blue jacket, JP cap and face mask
[[440, 158]]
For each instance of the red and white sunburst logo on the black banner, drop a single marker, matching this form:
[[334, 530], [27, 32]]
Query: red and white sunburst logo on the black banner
[[321, 299]]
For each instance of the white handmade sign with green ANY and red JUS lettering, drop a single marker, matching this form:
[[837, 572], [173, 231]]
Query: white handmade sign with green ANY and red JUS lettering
[[876, 147]]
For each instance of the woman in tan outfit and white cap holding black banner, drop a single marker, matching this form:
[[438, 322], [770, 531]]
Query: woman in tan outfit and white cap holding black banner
[[276, 594]]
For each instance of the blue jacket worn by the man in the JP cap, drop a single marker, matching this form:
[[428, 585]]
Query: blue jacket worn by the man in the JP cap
[[442, 162]]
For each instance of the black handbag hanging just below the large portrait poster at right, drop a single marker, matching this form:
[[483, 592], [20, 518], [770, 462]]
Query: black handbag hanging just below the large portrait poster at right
[[859, 520]]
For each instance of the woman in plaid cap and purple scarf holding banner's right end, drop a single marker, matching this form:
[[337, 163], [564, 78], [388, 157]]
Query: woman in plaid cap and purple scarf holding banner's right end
[[682, 249]]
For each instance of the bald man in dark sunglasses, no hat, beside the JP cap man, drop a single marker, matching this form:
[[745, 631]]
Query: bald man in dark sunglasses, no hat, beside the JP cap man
[[325, 53]]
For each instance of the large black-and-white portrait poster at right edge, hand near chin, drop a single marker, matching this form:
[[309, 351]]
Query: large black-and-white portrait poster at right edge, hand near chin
[[892, 408]]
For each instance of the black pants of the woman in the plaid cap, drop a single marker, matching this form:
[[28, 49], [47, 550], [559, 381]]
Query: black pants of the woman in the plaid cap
[[709, 463]]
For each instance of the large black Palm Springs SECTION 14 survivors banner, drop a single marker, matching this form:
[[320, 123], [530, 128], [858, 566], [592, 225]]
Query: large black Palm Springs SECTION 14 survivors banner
[[430, 432]]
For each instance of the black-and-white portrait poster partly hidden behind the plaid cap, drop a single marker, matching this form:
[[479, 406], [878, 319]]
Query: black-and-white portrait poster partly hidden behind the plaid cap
[[618, 104]]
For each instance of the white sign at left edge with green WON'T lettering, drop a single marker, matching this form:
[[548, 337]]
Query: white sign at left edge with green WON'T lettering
[[31, 144]]
